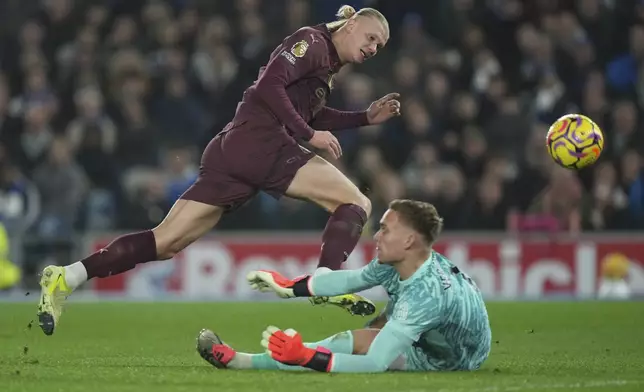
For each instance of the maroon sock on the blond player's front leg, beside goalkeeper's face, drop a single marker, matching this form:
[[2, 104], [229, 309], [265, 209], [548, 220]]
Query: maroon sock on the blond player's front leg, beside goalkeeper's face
[[341, 235]]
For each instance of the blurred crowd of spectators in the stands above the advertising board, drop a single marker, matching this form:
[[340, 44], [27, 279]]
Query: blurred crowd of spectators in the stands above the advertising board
[[105, 107]]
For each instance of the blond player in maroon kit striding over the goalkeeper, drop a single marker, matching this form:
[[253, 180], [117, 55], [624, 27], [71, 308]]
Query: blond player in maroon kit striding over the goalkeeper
[[259, 150]]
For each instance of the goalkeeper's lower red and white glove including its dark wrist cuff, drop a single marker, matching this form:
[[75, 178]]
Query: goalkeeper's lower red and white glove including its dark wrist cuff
[[287, 347]]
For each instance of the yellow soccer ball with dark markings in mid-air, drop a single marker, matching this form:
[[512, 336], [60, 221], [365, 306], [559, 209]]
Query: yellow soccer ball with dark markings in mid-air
[[574, 141]]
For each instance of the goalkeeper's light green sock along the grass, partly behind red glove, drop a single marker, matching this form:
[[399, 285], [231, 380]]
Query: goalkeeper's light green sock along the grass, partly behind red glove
[[339, 343]]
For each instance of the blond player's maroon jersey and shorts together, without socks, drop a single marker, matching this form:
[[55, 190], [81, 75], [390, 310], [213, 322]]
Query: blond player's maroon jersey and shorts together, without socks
[[259, 150]]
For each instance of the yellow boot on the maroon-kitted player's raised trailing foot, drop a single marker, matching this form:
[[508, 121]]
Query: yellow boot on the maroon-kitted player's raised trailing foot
[[54, 291]]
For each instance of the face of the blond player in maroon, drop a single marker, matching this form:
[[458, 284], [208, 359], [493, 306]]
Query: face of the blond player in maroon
[[366, 36]]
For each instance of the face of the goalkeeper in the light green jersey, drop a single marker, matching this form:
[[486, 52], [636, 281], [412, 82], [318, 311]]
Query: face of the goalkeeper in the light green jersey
[[392, 239]]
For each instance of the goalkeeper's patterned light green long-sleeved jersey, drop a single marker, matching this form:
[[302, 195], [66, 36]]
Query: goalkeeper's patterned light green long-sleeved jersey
[[436, 319]]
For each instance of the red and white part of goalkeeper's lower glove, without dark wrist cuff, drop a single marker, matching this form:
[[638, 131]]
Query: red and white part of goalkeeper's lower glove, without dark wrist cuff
[[286, 346]]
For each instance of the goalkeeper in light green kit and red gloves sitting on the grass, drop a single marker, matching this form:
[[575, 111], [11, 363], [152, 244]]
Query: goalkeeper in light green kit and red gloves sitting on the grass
[[435, 320]]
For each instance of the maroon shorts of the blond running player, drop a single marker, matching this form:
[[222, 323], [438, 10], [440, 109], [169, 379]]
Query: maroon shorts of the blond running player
[[239, 163]]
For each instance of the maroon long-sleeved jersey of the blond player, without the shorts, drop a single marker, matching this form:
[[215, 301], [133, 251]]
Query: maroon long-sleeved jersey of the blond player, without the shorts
[[290, 93]]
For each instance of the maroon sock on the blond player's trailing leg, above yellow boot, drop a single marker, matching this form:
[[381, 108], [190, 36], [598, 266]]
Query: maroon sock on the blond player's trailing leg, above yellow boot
[[121, 255]]
